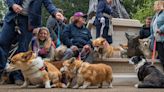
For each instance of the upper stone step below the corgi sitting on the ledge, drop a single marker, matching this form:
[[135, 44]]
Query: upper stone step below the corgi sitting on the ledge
[[121, 65]]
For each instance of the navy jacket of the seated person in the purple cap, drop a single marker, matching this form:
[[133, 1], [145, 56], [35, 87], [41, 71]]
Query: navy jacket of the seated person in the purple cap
[[73, 35]]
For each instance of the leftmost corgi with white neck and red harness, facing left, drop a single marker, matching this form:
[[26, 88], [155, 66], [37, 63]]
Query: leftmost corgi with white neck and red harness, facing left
[[35, 70]]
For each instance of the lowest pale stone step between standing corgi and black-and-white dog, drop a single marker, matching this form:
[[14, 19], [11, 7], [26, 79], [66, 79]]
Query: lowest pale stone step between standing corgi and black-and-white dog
[[124, 79]]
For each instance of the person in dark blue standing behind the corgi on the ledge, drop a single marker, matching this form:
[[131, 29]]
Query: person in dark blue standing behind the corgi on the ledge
[[104, 10]]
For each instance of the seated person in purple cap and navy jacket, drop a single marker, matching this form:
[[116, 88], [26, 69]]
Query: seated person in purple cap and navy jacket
[[77, 37]]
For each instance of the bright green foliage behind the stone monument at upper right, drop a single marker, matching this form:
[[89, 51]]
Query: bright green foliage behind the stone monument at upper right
[[139, 9]]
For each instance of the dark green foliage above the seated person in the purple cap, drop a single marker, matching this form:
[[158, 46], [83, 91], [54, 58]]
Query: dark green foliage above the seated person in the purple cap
[[69, 7]]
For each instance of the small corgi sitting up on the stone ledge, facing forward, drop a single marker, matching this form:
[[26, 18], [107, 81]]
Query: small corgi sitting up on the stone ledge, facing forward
[[103, 49]]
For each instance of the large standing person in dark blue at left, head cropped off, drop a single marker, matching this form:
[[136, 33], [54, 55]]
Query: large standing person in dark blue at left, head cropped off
[[22, 17]]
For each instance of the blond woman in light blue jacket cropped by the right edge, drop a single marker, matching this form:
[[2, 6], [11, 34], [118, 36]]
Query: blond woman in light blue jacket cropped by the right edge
[[157, 29]]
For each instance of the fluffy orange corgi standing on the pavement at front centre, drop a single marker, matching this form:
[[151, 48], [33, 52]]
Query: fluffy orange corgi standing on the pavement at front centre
[[88, 74]]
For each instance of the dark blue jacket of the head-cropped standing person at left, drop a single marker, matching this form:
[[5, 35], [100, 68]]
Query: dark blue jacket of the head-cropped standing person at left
[[34, 11]]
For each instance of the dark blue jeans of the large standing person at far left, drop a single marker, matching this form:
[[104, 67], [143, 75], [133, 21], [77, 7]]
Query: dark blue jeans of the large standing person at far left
[[9, 34]]
